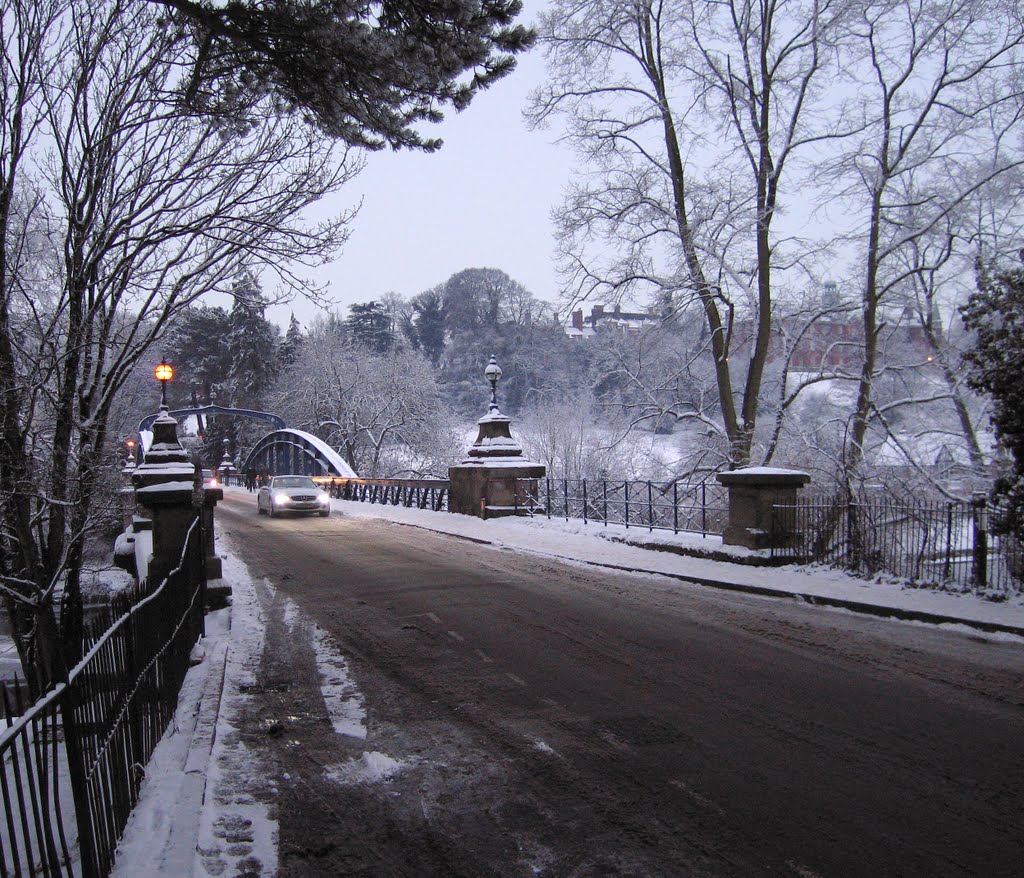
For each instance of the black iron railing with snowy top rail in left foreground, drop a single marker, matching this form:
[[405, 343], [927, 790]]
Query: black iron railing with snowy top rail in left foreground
[[74, 762]]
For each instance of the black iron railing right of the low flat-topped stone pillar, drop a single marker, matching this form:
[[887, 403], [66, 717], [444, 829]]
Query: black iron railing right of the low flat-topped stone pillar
[[928, 543]]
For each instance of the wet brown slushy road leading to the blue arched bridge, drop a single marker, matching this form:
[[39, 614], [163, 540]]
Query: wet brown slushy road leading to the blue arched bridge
[[401, 702]]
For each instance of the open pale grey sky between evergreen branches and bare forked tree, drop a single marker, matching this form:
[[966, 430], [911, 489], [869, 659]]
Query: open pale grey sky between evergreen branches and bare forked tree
[[484, 200]]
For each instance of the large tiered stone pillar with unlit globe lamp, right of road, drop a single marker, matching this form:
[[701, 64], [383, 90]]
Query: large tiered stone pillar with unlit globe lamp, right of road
[[486, 483]]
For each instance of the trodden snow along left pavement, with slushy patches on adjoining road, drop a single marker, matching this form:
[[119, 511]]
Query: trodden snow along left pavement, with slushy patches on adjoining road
[[202, 809]]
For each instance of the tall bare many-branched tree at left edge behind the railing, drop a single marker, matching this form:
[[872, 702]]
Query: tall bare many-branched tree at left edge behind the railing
[[141, 206]]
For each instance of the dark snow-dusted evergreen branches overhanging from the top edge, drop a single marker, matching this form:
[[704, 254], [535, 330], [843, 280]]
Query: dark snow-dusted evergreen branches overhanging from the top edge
[[366, 73]]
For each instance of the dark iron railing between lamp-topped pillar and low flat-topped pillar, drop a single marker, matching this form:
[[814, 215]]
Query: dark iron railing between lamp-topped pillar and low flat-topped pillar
[[700, 508]]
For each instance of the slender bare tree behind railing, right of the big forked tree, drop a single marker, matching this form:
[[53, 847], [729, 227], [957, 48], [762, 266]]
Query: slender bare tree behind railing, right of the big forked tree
[[941, 102]]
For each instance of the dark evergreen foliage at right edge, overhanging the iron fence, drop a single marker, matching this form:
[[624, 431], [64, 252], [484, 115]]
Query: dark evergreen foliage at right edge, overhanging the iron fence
[[996, 314]]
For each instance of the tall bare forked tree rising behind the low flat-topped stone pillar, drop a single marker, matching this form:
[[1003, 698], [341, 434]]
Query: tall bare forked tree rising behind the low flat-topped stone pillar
[[692, 113]]
